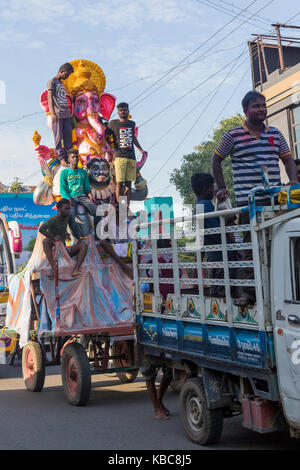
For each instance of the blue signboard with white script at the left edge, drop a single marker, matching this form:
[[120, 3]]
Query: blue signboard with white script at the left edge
[[20, 207]]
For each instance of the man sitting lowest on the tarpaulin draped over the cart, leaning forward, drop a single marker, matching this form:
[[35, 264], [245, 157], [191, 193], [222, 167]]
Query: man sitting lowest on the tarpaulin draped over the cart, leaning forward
[[54, 230]]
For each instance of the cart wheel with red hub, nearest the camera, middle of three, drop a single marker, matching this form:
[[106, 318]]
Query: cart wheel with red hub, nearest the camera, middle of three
[[76, 376]]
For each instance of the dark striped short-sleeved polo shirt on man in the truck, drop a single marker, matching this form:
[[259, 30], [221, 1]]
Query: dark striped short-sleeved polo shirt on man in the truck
[[248, 154]]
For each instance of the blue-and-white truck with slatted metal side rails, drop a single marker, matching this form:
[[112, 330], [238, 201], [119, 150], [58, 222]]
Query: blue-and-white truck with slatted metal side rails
[[229, 360]]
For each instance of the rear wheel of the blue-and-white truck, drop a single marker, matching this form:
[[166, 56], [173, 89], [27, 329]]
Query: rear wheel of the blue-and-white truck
[[202, 425]]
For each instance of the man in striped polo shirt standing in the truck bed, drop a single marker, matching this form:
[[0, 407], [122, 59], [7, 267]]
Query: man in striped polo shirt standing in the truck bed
[[252, 146]]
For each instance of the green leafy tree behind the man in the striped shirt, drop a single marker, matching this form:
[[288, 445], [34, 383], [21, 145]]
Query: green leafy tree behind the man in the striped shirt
[[200, 161]]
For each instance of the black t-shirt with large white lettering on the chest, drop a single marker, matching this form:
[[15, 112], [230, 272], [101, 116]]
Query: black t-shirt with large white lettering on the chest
[[123, 137]]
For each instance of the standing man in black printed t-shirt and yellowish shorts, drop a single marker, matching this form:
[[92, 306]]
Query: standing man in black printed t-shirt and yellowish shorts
[[123, 131]]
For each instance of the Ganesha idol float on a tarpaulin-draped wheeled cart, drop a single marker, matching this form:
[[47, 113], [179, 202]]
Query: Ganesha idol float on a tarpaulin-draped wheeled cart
[[84, 323]]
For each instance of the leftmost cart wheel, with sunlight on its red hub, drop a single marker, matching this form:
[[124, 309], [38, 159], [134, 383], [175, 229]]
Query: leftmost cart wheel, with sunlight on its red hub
[[33, 366]]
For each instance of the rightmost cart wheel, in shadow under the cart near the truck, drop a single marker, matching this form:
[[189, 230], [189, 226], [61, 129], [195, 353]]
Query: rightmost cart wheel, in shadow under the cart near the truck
[[125, 349]]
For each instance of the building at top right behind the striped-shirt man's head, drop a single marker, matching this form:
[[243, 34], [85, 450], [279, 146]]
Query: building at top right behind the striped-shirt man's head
[[275, 66]]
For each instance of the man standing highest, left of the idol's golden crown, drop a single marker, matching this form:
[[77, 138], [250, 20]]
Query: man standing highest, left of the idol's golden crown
[[60, 113]]
